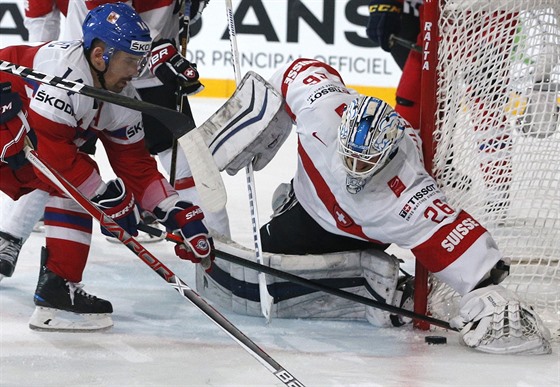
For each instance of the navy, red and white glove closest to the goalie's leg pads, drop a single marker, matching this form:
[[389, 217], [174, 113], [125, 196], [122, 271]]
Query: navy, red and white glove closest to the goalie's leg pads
[[187, 218]]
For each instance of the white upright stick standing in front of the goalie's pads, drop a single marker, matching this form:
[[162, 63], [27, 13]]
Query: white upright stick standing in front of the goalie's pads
[[265, 297]]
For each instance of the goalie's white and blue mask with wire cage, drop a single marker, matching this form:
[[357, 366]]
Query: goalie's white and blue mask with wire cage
[[369, 135]]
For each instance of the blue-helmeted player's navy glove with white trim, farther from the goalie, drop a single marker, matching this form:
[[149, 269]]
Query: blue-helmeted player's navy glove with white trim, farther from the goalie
[[120, 205]]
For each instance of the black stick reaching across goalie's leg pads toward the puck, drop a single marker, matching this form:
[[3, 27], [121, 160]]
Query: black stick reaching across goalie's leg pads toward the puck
[[303, 281]]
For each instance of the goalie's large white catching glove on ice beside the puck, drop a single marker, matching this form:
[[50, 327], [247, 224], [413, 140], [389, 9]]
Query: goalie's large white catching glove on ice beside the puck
[[493, 320]]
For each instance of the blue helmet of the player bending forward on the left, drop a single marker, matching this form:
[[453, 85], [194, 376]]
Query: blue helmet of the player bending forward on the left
[[120, 28]]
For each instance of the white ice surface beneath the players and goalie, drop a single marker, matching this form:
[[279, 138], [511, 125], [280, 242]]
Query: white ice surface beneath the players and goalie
[[160, 339]]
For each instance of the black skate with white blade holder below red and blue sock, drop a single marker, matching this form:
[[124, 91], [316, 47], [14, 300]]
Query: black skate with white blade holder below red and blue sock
[[62, 305]]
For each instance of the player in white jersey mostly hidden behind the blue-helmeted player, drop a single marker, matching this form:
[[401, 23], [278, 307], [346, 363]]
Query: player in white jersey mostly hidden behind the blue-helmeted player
[[159, 86]]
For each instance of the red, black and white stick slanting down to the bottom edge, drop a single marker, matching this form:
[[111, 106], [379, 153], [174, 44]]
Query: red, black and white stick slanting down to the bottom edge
[[164, 272]]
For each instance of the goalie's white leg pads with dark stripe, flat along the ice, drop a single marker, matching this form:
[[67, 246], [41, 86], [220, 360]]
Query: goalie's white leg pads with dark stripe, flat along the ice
[[368, 273]]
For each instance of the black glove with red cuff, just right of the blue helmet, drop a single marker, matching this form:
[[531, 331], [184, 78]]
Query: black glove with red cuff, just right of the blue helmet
[[172, 68]]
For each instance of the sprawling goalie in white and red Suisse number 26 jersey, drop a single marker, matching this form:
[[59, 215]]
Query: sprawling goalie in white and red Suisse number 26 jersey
[[359, 186]]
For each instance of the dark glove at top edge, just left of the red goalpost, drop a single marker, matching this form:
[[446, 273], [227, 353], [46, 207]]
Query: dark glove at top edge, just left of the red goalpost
[[384, 21]]
